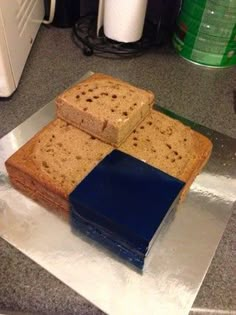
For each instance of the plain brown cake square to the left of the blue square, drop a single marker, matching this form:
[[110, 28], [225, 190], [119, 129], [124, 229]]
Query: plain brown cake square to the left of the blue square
[[53, 162]]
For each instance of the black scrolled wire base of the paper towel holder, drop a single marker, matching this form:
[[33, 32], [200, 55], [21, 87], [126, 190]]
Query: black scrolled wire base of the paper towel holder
[[85, 37]]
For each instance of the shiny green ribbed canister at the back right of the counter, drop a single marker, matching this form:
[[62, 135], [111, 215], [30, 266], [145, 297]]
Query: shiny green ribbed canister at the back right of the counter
[[206, 32]]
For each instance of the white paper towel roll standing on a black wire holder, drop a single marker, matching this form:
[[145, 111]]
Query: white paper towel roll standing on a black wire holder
[[124, 19]]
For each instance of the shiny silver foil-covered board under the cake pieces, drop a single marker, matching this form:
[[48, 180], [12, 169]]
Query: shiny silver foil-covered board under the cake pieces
[[181, 253]]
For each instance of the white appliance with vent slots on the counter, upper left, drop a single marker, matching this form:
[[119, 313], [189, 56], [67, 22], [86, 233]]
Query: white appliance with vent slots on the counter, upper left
[[19, 24]]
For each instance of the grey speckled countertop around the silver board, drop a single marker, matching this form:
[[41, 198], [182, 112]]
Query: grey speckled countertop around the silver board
[[206, 96]]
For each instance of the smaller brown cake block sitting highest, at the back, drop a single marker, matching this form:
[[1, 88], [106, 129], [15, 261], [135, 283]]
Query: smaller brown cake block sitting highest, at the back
[[105, 107]]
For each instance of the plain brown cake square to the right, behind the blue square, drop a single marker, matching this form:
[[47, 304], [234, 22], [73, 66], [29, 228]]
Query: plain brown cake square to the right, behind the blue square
[[169, 145]]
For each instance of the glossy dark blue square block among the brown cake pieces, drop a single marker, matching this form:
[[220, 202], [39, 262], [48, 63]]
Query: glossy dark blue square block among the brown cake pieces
[[126, 198]]
